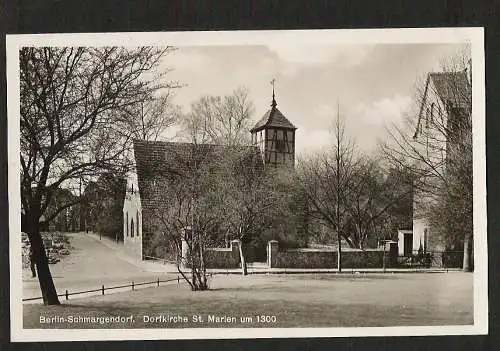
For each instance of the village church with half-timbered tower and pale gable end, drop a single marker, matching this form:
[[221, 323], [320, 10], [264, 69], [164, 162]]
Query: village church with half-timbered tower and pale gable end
[[273, 144]]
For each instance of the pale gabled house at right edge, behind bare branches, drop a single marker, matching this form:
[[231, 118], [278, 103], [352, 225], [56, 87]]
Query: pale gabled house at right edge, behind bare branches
[[446, 100]]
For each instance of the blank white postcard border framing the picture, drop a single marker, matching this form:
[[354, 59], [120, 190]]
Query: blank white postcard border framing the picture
[[475, 36]]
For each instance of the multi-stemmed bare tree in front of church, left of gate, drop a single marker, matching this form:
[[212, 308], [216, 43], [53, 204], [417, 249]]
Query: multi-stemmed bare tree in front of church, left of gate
[[193, 201]]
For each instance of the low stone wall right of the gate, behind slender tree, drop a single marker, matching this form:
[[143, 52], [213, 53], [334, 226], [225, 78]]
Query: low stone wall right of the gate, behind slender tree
[[325, 258]]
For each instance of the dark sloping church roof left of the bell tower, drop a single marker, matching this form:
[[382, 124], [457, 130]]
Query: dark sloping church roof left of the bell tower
[[157, 160]]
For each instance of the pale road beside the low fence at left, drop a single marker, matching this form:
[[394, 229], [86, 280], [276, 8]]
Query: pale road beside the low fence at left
[[91, 264]]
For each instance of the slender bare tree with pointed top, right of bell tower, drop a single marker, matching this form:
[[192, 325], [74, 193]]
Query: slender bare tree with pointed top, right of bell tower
[[347, 192]]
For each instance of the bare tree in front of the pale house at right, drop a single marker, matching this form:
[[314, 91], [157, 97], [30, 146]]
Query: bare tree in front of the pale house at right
[[435, 146]]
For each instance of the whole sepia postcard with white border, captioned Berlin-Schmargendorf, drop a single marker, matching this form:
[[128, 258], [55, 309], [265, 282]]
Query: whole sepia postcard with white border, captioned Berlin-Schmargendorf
[[247, 184]]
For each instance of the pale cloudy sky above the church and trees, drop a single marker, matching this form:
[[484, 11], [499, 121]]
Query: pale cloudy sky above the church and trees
[[372, 83]]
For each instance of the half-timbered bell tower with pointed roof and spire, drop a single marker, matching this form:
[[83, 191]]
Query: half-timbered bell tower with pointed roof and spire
[[274, 134]]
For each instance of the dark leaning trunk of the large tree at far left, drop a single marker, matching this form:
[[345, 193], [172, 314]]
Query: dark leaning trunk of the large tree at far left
[[47, 287]]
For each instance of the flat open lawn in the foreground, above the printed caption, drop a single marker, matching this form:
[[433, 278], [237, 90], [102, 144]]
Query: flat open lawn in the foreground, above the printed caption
[[325, 300]]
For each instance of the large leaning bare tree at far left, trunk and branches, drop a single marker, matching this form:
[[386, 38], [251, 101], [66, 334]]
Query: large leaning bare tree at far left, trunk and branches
[[71, 125]]
